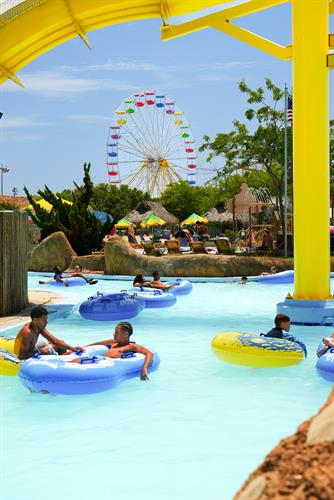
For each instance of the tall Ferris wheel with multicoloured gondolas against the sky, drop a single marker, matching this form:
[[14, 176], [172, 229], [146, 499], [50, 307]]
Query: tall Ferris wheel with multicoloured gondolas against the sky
[[150, 144]]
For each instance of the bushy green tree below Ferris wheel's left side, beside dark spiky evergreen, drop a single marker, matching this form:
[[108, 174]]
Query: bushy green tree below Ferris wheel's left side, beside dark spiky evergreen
[[117, 201]]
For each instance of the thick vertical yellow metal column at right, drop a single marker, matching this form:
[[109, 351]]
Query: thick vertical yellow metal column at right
[[311, 149]]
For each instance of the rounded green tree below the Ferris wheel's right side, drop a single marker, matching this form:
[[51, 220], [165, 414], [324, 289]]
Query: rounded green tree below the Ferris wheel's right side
[[182, 199]]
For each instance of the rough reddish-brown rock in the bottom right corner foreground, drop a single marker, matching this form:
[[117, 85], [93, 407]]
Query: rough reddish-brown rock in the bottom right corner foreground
[[301, 466]]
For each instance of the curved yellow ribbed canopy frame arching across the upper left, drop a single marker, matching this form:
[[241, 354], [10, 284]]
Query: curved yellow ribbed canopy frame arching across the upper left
[[33, 27]]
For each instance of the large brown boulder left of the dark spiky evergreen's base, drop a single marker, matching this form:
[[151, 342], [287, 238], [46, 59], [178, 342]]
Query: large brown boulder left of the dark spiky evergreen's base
[[54, 250]]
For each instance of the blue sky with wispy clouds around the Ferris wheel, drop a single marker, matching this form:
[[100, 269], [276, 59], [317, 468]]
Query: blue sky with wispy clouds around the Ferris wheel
[[60, 120]]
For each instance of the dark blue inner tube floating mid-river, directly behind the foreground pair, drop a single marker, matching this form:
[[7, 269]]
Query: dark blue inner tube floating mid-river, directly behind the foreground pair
[[111, 307]]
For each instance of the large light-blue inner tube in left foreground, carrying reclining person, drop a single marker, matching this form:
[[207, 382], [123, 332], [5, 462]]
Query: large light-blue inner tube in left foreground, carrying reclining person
[[53, 374]]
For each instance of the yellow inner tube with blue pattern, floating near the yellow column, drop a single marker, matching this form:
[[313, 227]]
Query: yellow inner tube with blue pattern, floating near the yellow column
[[249, 349]]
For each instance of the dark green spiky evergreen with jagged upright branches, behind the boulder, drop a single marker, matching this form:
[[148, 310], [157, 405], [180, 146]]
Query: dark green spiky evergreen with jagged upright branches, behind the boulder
[[83, 230]]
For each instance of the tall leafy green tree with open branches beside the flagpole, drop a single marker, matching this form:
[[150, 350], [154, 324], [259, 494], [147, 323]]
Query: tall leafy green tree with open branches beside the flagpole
[[258, 153]]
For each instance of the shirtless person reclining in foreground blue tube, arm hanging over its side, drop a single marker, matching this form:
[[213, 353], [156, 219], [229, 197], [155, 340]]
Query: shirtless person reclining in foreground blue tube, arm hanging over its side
[[120, 344]]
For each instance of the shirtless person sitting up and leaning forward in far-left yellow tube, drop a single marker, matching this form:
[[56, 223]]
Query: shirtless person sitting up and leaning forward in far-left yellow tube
[[27, 343]]
